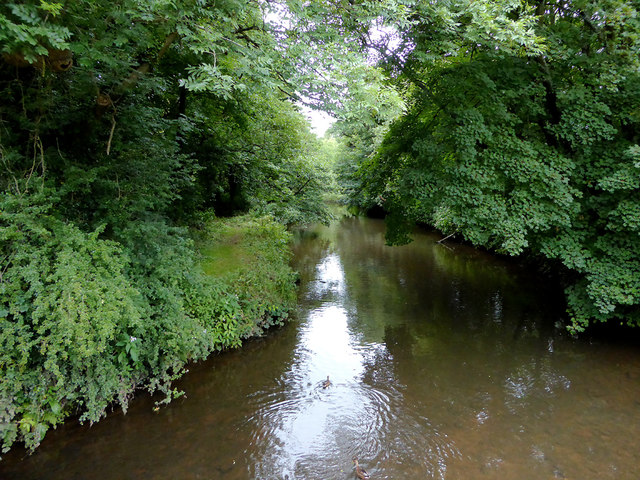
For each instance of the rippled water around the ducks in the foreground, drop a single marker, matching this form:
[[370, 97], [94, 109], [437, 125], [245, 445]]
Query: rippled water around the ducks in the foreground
[[305, 431]]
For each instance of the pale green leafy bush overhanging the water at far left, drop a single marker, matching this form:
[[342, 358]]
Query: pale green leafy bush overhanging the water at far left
[[64, 301]]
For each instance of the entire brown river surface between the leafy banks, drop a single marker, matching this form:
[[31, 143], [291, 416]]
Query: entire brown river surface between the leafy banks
[[444, 362]]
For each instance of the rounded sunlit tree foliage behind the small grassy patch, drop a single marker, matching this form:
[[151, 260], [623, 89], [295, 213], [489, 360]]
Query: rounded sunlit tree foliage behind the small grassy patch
[[258, 154]]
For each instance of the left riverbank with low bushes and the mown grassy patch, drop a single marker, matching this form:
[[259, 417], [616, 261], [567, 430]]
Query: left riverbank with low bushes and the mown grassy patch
[[99, 326]]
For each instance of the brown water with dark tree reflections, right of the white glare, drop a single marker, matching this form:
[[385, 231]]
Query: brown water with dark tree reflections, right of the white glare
[[480, 377]]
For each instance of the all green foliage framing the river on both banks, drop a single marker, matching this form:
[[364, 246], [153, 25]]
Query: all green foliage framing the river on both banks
[[513, 125]]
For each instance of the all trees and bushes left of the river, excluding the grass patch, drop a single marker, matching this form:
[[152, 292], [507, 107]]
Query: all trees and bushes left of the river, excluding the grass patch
[[119, 123]]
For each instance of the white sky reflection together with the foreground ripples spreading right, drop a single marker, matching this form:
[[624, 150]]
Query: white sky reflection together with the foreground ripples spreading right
[[306, 431]]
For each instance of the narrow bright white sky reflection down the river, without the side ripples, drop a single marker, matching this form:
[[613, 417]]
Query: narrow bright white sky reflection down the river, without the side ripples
[[314, 426]]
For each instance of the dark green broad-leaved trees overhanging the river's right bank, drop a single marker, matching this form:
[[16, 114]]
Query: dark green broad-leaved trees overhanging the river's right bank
[[521, 135]]
